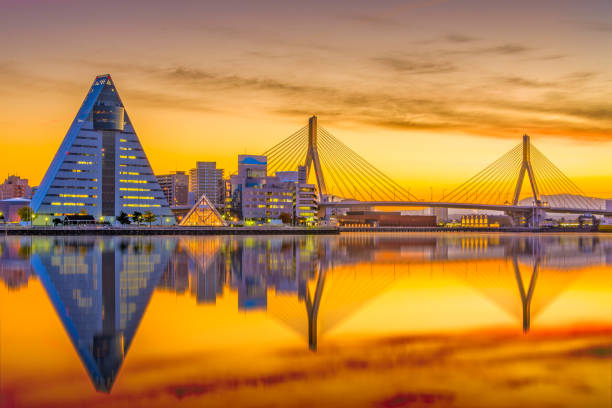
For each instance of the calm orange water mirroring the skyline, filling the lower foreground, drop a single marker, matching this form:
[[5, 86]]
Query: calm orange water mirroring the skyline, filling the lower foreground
[[387, 320]]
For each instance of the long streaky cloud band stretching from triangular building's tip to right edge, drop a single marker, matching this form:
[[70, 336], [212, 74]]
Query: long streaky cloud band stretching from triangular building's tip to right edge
[[486, 107]]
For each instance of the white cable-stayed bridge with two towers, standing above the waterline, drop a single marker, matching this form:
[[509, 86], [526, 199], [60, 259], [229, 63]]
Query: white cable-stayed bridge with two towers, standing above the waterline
[[345, 180]]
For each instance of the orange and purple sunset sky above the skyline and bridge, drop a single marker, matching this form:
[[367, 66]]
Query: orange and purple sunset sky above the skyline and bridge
[[429, 91]]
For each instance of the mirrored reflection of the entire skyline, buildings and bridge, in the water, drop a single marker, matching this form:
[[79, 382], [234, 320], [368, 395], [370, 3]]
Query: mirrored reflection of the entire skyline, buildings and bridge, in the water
[[100, 287]]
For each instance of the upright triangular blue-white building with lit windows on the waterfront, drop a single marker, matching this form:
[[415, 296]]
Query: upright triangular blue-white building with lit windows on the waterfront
[[100, 167]]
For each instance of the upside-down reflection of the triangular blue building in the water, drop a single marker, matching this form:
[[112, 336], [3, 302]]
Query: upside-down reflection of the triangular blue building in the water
[[100, 290]]
